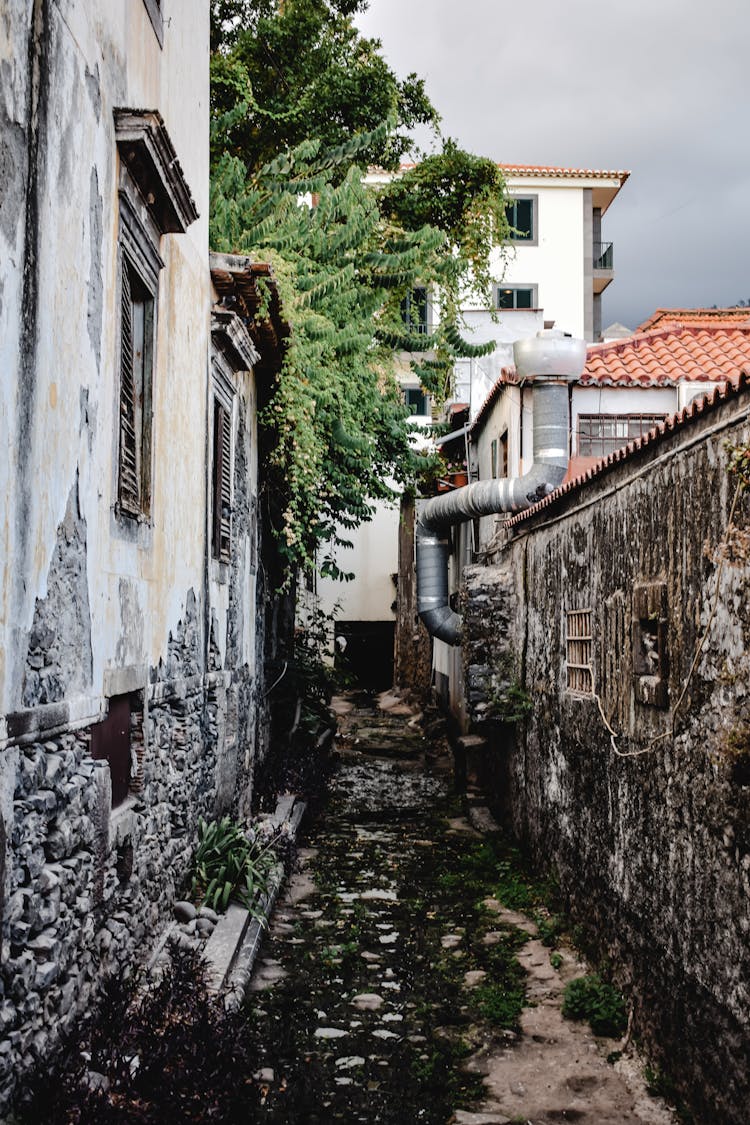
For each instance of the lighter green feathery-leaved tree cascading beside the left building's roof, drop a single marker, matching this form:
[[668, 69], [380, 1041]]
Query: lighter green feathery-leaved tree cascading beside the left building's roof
[[339, 426]]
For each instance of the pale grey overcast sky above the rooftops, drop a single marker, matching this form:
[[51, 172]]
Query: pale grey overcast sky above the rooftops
[[658, 88]]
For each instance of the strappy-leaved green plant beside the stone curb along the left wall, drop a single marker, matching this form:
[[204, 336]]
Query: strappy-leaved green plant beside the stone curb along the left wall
[[230, 865]]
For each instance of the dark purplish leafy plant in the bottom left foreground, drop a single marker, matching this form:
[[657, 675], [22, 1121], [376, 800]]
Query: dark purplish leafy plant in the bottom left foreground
[[162, 1055]]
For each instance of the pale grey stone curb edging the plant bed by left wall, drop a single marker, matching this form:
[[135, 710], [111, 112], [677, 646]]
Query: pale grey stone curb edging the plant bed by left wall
[[232, 949]]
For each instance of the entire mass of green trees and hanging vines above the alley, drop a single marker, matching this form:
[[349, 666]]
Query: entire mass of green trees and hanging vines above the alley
[[301, 105]]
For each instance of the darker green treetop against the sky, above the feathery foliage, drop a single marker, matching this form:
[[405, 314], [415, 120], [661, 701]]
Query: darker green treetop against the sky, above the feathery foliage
[[303, 70]]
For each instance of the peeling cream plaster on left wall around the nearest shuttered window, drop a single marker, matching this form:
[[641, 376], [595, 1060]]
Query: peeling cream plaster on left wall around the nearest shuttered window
[[60, 227]]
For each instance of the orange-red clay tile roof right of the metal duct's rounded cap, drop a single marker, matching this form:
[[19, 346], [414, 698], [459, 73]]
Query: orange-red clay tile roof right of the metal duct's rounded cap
[[710, 354]]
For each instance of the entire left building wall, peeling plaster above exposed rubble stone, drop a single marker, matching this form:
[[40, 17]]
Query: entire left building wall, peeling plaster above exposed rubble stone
[[94, 606]]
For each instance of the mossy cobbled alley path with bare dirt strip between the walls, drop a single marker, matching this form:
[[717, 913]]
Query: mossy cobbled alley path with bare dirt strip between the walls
[[387, 993]]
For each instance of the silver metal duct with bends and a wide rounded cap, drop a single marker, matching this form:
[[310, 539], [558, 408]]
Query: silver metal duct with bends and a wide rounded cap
[[550, 362]]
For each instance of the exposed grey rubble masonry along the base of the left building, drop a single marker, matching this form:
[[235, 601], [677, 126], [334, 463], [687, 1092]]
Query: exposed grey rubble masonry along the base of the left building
[[89, 889]]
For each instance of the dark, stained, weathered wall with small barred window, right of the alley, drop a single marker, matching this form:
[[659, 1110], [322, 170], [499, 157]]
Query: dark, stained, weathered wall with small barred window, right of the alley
[[650, 841]]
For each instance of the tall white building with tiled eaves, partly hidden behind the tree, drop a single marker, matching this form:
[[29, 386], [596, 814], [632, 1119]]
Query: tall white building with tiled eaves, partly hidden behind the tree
[[553, 274]]
